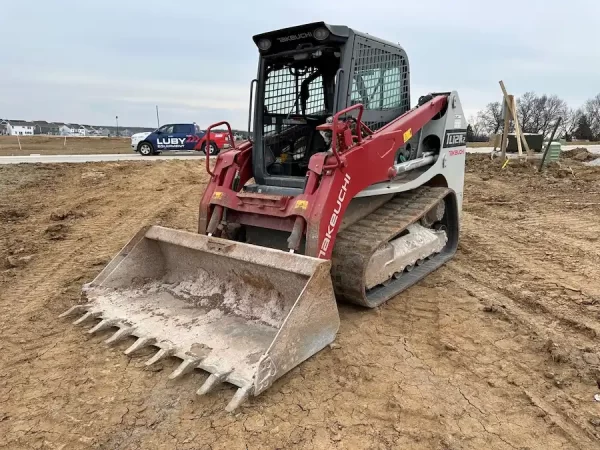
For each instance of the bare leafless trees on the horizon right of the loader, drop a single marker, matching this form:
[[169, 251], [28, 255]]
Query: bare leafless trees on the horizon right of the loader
[[539, 114]]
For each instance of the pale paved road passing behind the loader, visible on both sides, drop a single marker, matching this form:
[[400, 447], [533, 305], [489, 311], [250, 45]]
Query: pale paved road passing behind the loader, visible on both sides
[[138, 157]]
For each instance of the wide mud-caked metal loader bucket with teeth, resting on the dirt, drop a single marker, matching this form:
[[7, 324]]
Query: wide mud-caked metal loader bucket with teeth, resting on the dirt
[[245, 314]]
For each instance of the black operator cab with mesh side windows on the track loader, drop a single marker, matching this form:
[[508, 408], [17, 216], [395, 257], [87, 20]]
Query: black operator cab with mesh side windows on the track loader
[[305, 75]]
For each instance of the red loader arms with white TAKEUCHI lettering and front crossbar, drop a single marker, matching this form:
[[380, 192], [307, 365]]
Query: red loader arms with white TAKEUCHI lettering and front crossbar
[[331, 182]]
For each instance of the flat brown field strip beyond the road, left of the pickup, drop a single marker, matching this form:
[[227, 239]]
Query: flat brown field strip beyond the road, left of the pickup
[[58, 145]]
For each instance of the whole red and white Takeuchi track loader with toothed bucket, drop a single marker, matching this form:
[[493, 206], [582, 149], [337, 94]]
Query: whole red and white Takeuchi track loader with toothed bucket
[[343, 193]]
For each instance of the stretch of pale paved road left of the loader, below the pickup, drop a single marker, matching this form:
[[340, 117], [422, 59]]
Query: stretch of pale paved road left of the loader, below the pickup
[[91, 158]]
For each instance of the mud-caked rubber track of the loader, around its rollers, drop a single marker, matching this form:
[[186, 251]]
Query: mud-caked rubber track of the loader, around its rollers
[[356, 244]]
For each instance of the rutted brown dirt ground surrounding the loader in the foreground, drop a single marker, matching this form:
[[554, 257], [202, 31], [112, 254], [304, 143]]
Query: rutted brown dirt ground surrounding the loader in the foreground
[[496, 350]]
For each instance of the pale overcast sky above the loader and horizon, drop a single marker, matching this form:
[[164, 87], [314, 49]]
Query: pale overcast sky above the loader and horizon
[[88, 61]]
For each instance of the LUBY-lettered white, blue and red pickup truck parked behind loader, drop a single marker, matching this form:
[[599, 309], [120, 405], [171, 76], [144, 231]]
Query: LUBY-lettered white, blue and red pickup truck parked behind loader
[[179, 137]]
